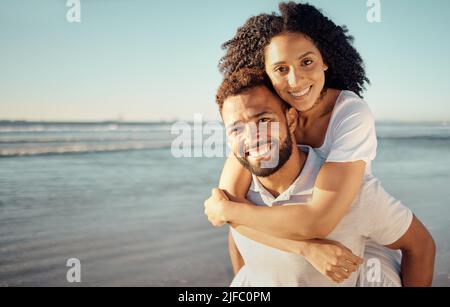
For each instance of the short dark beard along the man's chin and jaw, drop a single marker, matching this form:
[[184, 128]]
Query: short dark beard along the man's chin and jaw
[[285, 152]]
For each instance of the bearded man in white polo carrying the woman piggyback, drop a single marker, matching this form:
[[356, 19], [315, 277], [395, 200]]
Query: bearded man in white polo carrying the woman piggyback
[[261, 260]]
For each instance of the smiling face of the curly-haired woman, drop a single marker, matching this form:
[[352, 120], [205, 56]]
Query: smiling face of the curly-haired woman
[[296, 68]]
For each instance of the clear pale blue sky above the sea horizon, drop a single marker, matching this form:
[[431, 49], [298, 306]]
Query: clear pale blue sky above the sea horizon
[[137, 60]]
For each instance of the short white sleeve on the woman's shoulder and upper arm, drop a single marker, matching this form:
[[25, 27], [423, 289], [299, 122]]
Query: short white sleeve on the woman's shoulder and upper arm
[[353, 135]]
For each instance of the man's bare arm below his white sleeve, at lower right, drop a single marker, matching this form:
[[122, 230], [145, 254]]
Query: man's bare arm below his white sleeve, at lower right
[[419, 250]]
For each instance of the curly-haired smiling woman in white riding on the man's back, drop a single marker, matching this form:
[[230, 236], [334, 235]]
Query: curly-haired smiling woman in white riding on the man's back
[[314, 68]]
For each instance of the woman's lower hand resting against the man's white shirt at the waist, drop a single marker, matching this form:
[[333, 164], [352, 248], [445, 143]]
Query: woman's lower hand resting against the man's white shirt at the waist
[[332, 259]]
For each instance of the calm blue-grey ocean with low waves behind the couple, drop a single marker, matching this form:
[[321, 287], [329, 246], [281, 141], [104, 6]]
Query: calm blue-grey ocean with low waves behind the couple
[[113, 196]]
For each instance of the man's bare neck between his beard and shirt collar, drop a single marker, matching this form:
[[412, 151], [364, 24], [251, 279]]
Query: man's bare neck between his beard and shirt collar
[[285, 177]]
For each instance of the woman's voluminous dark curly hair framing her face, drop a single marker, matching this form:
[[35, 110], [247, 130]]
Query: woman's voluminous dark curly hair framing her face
[[345, 65]]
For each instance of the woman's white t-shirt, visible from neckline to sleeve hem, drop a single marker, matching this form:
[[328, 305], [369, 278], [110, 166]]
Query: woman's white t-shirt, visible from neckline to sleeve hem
[[351, 134]]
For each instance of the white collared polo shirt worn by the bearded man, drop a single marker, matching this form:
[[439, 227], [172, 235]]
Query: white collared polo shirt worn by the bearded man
[[374, 214]]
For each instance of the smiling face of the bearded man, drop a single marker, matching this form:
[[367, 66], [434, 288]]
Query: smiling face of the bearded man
[[257, 130]]
